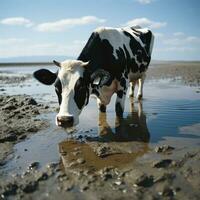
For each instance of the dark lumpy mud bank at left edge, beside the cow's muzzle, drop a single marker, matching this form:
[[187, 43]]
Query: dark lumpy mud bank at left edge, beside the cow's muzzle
[[18, 120]]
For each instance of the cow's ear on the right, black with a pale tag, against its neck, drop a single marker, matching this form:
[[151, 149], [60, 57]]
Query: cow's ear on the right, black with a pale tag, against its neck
[[100, 77]]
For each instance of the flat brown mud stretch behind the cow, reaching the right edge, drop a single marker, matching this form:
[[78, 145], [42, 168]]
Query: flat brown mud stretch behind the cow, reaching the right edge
[[186, 72]]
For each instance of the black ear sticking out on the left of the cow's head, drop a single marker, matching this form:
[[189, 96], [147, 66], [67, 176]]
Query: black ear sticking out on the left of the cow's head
[[45, 76]]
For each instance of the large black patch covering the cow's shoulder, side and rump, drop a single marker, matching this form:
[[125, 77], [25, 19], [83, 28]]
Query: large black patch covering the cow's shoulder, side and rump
[[101, 56]]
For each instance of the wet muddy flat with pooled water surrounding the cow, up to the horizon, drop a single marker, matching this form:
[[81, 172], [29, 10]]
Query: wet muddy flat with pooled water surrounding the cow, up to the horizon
[[152, 153]]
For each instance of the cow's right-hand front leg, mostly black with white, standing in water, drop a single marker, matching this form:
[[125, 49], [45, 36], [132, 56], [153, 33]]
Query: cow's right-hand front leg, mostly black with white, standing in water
[[120, 102]]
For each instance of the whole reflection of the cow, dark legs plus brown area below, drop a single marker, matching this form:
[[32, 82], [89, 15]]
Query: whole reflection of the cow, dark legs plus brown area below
[[117, 148]]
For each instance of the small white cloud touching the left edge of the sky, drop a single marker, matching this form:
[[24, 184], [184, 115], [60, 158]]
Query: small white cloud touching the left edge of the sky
[[17, 21]]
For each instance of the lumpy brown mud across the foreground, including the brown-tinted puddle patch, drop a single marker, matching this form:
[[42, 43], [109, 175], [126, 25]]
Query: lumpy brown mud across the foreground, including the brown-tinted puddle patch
[[84, 174]]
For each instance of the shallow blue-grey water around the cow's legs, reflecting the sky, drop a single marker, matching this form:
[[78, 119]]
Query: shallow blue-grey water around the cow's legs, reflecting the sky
[[169, 112]]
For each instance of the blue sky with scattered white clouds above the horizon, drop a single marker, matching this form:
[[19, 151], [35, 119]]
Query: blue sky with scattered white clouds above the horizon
[[62, 27]]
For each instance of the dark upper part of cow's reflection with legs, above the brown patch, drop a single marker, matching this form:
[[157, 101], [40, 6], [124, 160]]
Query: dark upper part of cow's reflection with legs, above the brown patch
[[131, 128]]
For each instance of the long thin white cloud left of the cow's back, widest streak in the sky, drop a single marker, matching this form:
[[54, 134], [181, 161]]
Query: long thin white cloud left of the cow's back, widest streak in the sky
[[64, 24]]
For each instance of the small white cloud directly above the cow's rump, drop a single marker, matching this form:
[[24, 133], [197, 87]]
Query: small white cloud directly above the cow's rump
[[144, 22]]
